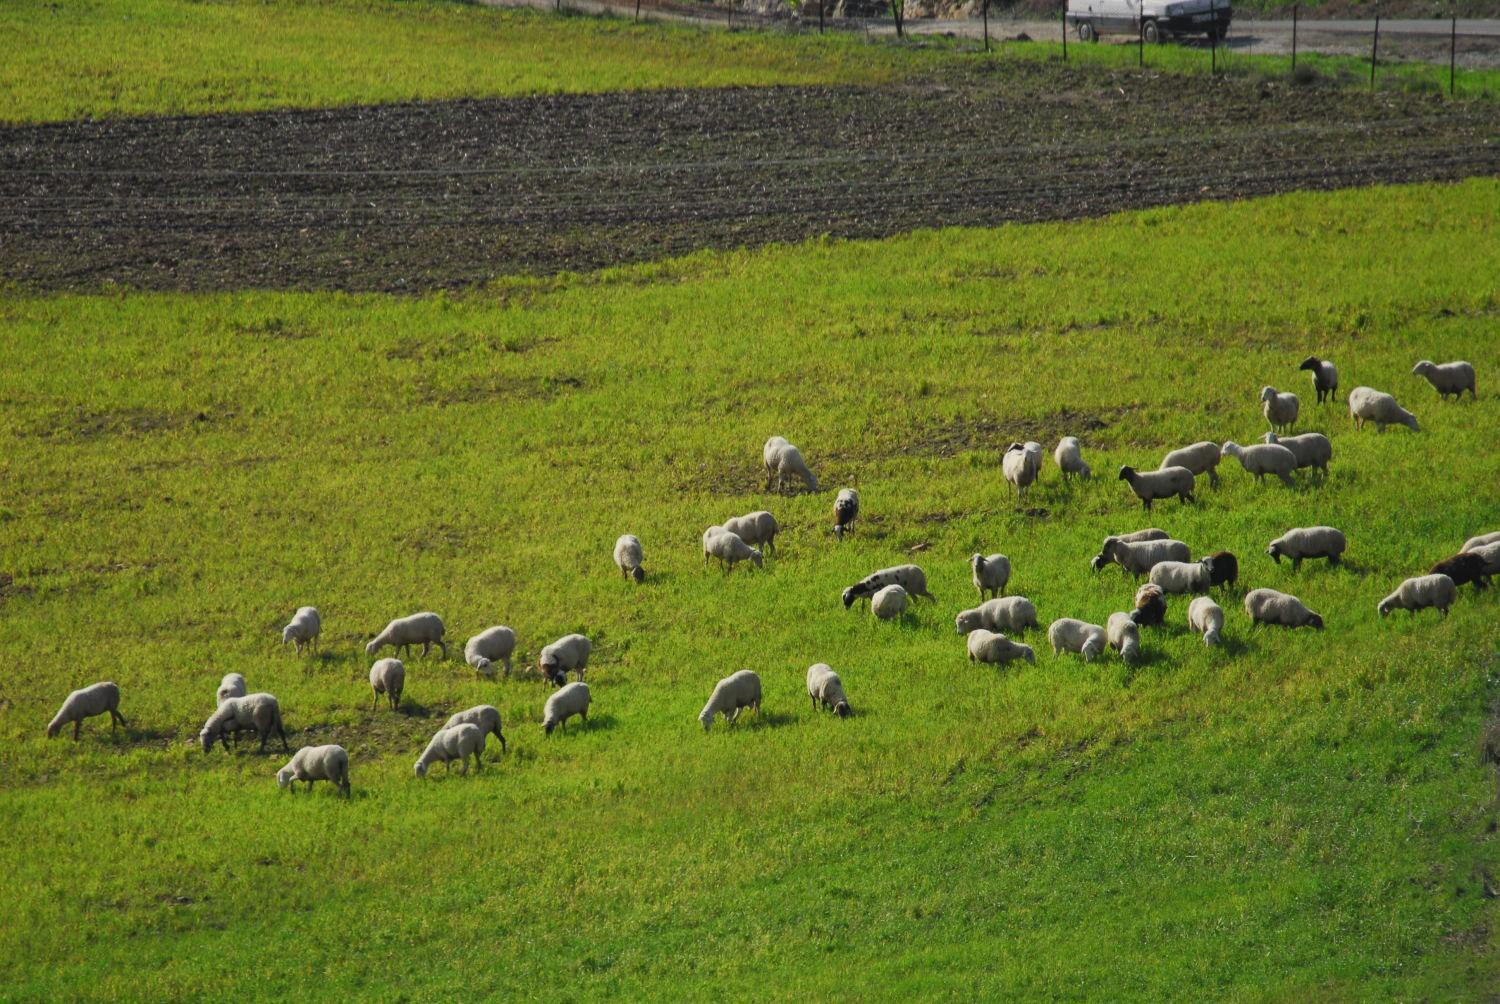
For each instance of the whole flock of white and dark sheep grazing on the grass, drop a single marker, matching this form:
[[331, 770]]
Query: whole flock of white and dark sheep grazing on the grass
[[1163, 562]]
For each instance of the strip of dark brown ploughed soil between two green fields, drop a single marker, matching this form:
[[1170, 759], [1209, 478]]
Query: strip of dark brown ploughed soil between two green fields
[[415, 197]]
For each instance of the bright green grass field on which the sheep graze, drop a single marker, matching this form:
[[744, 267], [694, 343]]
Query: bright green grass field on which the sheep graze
[[1292, 816]]
